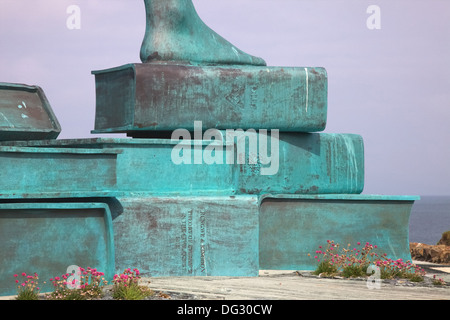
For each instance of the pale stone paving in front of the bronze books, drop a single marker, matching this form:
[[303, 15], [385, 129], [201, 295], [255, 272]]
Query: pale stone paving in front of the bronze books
[[288, 285]]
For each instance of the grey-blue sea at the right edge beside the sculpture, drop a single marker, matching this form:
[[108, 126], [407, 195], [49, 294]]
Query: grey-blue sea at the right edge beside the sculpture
[[430, 217]]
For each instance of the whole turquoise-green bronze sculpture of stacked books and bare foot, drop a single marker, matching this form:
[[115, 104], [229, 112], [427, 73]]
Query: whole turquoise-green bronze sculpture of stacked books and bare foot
[[162, 205]]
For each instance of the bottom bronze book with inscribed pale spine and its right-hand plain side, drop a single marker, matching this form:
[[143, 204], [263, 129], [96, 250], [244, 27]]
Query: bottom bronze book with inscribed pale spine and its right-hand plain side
[[240, 235]]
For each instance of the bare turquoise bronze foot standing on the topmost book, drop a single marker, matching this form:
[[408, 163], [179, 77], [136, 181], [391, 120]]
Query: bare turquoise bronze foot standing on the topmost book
[[175, 33]]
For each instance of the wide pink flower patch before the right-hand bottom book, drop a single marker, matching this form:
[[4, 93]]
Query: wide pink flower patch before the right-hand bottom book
[[354, 261]]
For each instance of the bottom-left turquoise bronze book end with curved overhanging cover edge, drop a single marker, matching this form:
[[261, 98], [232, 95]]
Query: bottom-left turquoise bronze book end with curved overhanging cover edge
[[49, 237]]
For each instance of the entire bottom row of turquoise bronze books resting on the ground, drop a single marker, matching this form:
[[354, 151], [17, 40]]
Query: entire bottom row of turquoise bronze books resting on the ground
[[193, 235]]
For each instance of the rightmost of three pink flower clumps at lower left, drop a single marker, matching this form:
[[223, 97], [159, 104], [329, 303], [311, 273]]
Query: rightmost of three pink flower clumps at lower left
[[126, 286]]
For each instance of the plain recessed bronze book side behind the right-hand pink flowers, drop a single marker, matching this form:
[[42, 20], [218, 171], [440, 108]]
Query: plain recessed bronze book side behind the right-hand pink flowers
[[291, 227]]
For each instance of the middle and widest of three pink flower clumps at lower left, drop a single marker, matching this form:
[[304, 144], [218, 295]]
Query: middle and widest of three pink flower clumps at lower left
[[82, 285]]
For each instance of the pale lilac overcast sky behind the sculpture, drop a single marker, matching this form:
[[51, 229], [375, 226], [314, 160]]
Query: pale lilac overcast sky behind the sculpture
[[390, 85]]
